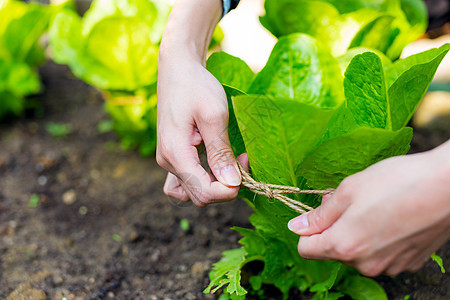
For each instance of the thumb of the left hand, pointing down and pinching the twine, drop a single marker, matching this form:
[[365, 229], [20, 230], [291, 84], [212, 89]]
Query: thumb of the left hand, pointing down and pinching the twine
[[221, 160]]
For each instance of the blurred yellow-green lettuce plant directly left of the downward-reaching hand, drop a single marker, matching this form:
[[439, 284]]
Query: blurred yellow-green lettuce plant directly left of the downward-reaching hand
[[114, 47]]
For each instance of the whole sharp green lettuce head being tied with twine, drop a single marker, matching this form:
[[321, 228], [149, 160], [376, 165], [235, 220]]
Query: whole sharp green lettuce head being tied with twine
[[305, 123]]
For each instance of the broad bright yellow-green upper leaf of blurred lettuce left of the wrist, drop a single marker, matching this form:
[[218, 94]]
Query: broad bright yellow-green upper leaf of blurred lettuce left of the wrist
[[114, 46]]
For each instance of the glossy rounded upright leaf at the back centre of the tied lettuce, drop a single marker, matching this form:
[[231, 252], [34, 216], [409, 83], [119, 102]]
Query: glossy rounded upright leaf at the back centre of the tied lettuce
[[300, 68]]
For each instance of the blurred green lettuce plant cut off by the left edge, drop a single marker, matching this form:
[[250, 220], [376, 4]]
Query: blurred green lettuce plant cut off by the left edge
[[21, 27]]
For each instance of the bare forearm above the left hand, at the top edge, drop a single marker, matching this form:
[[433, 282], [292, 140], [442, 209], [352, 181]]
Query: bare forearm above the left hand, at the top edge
[[190, 28]]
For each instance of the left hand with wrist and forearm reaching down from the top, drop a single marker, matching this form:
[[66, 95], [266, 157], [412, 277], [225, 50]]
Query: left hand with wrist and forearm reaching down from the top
[[192, 108]]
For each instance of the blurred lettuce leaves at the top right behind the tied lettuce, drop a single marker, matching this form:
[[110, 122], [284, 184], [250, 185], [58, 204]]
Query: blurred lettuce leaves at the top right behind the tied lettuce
[[385, 25]]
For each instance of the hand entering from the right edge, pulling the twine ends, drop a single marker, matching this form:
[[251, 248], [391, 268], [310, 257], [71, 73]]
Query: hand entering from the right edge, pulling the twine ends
[[387, 219]]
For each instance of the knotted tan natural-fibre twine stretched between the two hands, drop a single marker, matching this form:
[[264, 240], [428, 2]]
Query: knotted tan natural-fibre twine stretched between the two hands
[[274, 191]]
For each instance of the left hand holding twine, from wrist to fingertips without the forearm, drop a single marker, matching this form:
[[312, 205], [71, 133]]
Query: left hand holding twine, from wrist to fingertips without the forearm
[[192, 108]]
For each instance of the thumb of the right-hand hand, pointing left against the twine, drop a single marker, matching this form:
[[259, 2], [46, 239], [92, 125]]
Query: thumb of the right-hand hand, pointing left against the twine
[[319, 219]]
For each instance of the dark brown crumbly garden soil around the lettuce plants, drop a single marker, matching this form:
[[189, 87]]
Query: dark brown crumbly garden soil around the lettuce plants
[[103, 228]]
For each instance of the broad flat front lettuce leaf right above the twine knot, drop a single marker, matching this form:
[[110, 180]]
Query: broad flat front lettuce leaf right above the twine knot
[[277, 121]]
